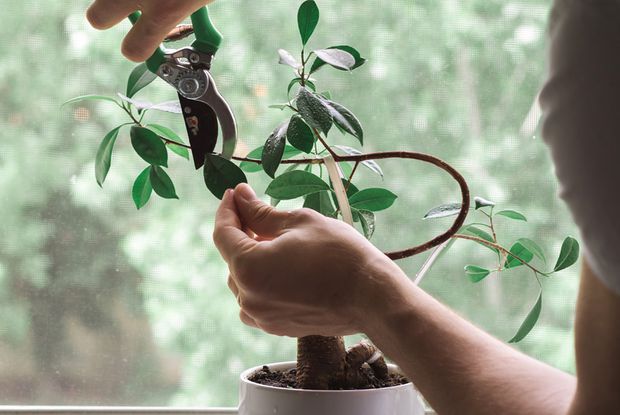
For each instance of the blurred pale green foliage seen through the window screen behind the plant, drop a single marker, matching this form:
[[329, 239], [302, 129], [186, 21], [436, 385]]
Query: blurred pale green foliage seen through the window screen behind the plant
[[101, 304]]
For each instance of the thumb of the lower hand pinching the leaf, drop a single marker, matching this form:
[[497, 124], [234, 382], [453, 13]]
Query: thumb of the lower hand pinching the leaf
[[258, 216]]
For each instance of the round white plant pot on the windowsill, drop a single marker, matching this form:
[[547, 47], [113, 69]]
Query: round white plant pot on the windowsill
[[256, 399]]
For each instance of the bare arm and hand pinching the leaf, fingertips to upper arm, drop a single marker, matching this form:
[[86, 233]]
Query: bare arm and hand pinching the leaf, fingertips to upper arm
[[342, 284]]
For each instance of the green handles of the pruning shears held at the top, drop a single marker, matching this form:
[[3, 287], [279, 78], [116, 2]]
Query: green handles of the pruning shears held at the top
[[208, 38]]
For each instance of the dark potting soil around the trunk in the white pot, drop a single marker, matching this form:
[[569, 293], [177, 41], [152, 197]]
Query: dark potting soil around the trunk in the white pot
[[286, 379]]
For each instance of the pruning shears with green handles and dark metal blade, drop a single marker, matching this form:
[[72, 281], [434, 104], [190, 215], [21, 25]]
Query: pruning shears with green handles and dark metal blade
[[188, 71]]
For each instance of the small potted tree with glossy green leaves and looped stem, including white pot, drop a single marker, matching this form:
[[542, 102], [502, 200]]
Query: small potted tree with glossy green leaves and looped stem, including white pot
[[303, 163]]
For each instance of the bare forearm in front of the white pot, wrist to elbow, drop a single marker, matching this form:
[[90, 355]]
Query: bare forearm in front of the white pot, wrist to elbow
[[457, 367]]
